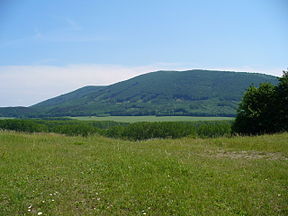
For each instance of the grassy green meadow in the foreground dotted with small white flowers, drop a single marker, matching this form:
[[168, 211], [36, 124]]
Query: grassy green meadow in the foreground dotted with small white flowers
[[58, 175]]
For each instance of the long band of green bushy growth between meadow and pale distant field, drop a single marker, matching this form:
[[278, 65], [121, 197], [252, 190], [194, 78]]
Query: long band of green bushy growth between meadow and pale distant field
[[134, 131]]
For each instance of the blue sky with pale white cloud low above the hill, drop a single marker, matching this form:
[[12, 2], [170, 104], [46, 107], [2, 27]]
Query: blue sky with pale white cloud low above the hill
[[52, 47]]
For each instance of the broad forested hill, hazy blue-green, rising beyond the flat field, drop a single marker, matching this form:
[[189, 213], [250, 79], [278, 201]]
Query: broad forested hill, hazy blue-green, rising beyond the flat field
[[194, 92]]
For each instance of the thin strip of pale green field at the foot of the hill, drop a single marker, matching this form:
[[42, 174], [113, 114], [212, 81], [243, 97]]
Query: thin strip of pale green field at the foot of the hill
[[132, 119]]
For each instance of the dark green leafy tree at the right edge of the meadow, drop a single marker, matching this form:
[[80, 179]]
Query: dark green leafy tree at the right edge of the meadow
[[264, 109]]
